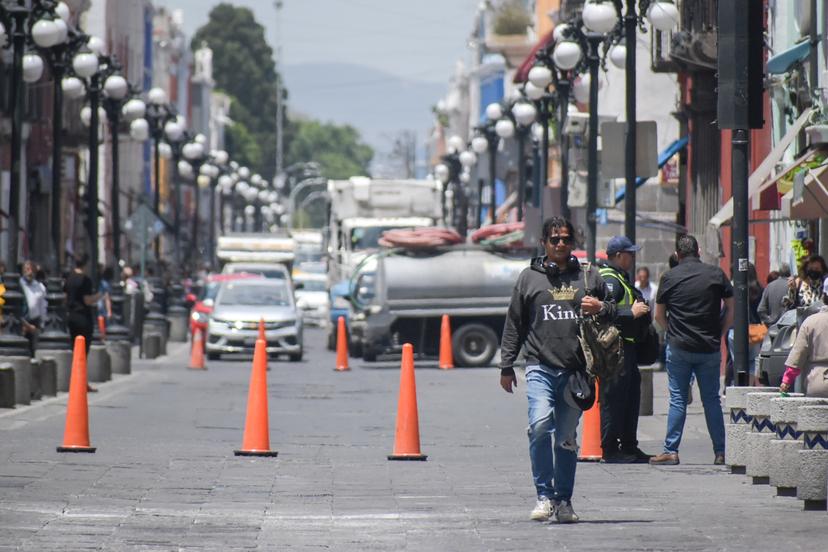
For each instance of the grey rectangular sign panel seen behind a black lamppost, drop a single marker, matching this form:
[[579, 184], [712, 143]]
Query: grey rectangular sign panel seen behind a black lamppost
[[613, 140]]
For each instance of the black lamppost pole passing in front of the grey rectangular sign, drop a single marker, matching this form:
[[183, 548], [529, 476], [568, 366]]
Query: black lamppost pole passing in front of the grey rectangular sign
[[630, 21]]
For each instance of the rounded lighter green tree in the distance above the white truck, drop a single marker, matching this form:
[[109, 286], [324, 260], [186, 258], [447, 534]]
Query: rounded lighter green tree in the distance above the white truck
[[337, 148]]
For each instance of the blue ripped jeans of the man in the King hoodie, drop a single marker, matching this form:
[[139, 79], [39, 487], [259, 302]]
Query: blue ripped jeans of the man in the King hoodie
[[553, 470]]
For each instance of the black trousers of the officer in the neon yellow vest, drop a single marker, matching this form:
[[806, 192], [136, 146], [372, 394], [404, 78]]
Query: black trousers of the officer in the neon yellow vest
[[620, 402]]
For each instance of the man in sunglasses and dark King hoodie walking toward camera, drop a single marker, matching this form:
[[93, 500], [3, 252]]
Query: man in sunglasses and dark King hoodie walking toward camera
[[548, 300]]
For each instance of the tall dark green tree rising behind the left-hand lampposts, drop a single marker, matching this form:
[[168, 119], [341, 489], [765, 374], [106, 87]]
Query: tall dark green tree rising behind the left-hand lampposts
[[244, 68]]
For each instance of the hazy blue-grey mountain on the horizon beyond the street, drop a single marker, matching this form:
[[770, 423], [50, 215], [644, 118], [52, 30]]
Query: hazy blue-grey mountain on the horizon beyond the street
[[378, 104]]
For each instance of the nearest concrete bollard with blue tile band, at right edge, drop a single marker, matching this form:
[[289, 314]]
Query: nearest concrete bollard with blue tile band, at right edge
[[812, 422]]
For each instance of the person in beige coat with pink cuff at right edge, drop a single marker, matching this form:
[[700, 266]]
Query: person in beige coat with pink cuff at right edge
[[810, 353]]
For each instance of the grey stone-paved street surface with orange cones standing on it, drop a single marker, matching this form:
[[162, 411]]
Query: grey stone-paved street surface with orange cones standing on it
[[165, 478]]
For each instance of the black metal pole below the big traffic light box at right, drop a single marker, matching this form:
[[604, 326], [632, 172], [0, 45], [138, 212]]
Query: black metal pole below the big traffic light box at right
[[739, 252]]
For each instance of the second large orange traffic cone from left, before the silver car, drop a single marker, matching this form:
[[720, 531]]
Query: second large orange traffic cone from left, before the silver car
[[256, 440]]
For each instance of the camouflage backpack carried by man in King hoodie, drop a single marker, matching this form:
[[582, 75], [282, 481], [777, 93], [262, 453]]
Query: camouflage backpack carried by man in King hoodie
[[601, 343]]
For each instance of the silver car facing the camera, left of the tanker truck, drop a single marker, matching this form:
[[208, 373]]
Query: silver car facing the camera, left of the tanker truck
[[239, 305]]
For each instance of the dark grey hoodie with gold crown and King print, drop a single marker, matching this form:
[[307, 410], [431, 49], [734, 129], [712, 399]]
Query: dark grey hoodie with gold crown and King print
[[544, 314]]
